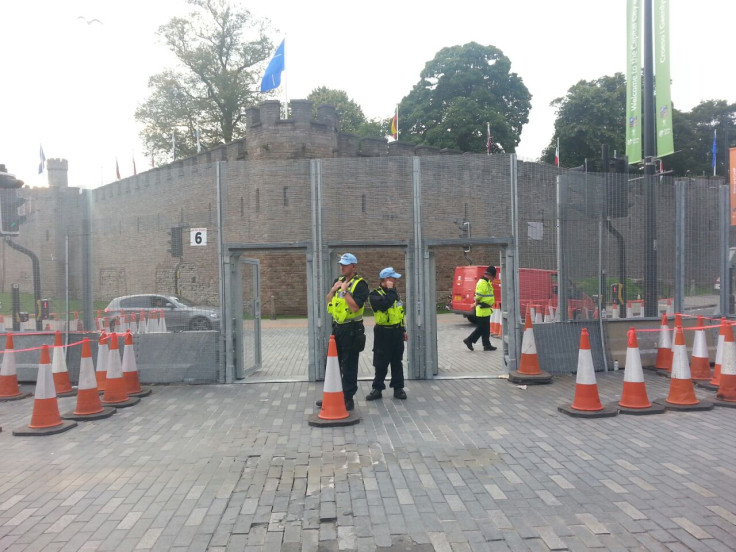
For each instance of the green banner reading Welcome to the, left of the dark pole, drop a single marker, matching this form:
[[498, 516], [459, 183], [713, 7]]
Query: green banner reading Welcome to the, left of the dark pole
[[633, 80]]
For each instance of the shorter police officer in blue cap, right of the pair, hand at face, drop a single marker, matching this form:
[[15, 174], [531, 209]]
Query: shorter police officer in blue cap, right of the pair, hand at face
[[389, 335]]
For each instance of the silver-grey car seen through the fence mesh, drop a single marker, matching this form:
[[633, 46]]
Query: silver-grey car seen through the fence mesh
[[179, 313]]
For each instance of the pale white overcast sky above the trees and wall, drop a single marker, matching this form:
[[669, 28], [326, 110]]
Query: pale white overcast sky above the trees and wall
[[73, 86]]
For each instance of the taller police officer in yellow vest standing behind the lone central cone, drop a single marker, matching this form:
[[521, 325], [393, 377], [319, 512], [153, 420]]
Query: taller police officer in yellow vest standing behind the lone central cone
[[345, 303]]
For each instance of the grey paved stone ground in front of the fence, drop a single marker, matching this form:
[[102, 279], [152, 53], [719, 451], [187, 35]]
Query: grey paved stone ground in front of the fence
[[462, 465]]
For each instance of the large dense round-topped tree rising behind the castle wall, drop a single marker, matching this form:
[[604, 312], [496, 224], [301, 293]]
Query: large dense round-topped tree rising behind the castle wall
[[459, 91]]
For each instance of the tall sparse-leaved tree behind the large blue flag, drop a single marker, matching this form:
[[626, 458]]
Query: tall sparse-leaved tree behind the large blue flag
[[221, 50]]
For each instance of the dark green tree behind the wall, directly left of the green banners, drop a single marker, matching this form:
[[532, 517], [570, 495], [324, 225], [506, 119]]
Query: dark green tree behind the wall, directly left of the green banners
[[591, 114]]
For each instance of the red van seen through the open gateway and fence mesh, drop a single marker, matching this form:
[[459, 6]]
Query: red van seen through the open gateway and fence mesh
[[537, 288]]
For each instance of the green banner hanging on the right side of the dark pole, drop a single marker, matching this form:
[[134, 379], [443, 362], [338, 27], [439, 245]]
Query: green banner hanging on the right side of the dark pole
[[665, 144]]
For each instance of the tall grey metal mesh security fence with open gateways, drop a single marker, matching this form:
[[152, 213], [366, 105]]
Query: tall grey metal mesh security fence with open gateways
[[252, 245]]
